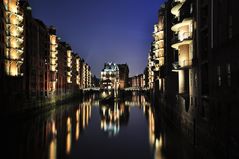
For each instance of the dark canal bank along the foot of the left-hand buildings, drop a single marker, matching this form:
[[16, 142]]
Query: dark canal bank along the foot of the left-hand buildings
[[22, 107]]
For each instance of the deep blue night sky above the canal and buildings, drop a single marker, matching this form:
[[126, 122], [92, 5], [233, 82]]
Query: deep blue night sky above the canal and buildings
[[103, 30]]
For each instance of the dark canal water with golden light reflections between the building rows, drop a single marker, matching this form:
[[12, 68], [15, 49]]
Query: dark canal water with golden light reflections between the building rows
[[131, 129]]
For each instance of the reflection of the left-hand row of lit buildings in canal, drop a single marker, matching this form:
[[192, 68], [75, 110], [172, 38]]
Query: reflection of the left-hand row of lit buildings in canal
[[49, 135]]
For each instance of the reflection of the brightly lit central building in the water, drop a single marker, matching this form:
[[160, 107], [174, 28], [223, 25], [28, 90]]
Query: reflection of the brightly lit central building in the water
[[113, 117]]
